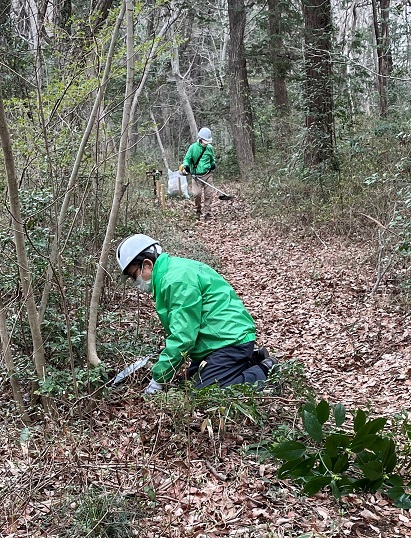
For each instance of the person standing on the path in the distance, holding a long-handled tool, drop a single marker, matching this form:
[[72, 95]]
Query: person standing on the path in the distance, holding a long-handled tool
[[200, 161]]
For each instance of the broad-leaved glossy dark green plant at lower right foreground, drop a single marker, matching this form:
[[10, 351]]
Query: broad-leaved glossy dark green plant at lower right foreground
[[363, 460]]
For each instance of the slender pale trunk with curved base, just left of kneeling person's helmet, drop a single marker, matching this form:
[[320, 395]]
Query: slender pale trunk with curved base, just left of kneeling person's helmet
[[119, 190]]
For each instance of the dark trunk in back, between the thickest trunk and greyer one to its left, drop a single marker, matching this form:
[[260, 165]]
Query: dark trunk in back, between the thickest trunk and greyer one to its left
[[279, 60]]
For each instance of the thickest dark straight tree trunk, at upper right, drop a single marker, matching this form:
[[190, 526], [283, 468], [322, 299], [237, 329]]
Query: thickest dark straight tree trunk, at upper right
[[319, 146]]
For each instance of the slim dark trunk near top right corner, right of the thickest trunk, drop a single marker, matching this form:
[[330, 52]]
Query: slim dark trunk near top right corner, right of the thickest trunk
[[380, 10]]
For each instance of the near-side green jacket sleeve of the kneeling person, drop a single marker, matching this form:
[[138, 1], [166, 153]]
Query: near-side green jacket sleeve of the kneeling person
[[184, 303]]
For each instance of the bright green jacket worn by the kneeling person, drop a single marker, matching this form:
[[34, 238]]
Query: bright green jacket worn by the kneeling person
[[199, 311]]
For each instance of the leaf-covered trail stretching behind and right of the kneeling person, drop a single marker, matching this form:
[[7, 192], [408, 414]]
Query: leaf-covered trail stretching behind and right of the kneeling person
[[310, 299]]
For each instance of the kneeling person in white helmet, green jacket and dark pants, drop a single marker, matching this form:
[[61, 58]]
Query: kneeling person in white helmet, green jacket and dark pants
[[202, 317]]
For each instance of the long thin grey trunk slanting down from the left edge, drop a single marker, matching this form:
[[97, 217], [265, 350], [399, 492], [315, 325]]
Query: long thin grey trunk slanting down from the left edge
[[19, 239]]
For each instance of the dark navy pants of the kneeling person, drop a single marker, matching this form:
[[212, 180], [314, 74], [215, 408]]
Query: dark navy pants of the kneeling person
[[226, 366]]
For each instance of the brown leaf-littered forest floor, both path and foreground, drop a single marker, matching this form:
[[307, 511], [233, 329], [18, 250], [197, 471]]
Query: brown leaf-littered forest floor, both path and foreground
[[310, 298]]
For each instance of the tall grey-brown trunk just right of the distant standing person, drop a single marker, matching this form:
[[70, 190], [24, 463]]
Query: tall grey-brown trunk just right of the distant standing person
[[240, 105]]
